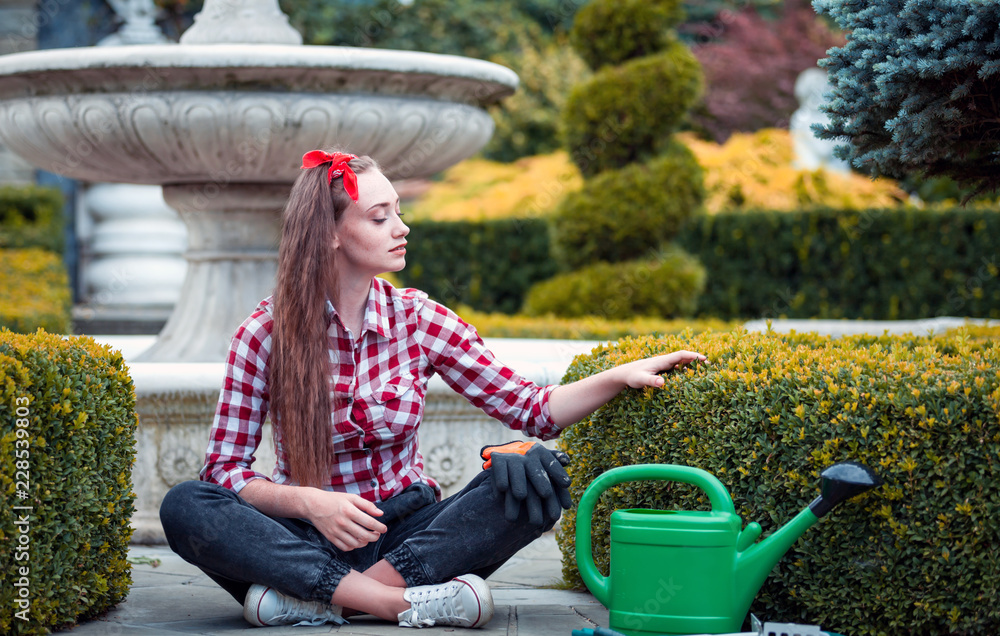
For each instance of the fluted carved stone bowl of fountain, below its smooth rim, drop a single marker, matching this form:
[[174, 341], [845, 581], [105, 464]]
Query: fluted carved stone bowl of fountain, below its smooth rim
[[222, 138]]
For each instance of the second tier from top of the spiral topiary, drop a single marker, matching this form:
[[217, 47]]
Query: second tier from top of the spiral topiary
[[626, 113]]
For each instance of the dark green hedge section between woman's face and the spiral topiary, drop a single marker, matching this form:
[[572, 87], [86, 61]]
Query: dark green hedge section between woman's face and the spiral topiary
[[488, 265]]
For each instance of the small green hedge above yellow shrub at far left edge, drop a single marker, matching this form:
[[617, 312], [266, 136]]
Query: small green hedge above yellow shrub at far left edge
[[31, 216]]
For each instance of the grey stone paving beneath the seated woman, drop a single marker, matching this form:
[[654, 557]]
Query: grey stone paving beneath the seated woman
[[176, 598]]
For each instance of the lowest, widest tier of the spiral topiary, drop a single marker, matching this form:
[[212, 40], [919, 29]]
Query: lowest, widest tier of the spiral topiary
[[665, 287]]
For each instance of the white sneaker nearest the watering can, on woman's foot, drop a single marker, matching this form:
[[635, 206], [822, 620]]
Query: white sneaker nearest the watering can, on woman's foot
[[464, 601]]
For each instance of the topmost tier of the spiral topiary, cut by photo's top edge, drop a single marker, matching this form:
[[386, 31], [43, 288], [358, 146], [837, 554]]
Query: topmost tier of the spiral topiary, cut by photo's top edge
[[609, 32]]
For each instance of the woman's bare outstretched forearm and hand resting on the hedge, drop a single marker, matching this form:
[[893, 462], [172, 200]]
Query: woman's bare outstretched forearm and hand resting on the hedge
[[571, 403]]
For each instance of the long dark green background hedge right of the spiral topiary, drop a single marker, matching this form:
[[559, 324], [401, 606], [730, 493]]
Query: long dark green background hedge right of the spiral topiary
[[828, 263]]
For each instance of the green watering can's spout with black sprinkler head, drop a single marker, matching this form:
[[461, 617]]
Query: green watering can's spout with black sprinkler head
[[754, 561]]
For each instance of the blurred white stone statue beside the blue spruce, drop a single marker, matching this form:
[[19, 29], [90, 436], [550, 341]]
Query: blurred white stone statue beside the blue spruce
[[811, 153]]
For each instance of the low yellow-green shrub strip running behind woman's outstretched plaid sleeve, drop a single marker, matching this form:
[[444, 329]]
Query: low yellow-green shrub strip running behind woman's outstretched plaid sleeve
[[586, 328]]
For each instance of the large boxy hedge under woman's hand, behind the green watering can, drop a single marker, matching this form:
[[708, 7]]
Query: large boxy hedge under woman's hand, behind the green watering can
[[918, 556]]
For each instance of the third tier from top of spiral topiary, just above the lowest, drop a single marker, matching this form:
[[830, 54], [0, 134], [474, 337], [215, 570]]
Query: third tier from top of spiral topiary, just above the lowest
[[622, 214]]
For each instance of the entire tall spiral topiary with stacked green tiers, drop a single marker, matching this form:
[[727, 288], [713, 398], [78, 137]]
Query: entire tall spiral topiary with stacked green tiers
[[641, 184]]
